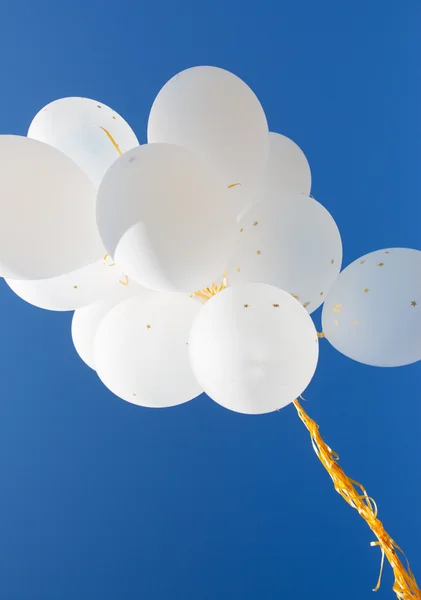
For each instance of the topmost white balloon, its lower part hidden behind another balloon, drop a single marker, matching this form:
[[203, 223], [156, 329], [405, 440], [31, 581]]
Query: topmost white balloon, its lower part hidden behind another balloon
[[214, 113]]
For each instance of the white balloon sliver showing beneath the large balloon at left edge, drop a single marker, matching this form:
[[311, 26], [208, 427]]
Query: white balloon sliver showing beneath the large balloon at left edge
[[69, 292]]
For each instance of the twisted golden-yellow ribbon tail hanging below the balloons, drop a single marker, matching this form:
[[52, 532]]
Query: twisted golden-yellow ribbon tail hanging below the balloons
[[405, 585]]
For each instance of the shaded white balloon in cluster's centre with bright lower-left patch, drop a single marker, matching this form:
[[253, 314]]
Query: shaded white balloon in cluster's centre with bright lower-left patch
[[166, 218]]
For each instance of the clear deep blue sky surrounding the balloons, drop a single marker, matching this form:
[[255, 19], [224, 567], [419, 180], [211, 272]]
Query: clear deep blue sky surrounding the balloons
[[104, 500]]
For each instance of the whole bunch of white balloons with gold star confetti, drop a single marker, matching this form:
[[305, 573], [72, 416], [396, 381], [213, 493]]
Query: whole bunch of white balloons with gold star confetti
[[128, 235]]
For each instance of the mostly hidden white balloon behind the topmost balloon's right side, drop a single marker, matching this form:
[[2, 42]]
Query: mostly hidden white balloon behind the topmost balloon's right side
[[287, 169]]
